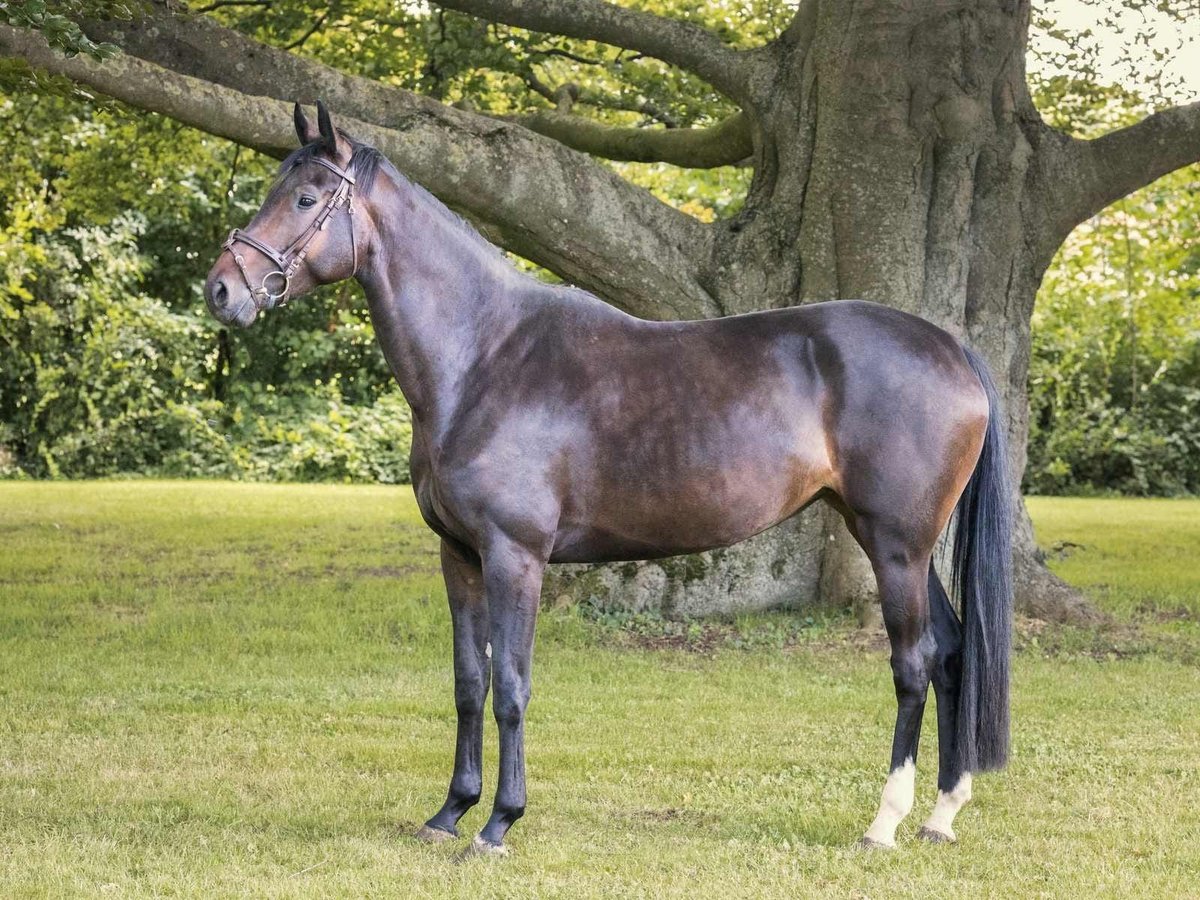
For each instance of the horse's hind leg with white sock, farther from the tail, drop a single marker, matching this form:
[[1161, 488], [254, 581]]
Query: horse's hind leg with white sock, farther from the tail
[[902, 574]]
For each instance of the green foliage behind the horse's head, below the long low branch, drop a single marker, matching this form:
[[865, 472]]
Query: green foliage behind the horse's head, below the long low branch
[[110, 363]]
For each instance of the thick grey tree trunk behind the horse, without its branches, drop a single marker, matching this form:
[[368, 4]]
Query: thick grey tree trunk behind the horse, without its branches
[[893, 165]]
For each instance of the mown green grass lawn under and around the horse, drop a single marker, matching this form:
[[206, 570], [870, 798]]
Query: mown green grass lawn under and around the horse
[[212, 689]]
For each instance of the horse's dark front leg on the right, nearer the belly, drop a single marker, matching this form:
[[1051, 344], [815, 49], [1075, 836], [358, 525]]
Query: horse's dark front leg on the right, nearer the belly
[[513, 579]]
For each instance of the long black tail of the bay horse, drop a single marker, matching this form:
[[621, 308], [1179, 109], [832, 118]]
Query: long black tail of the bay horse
[[983, 581]]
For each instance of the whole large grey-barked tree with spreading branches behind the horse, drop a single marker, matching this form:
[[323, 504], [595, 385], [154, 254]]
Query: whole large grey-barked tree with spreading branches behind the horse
[[897, 157]]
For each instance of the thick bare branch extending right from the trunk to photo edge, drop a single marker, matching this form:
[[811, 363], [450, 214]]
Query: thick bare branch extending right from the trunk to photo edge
[[1084, 177]]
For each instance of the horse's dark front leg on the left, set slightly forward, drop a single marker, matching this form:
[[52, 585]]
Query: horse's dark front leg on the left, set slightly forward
[[469, 613]]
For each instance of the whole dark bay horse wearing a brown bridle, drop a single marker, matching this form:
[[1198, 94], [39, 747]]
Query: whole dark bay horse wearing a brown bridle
[[549, 427]]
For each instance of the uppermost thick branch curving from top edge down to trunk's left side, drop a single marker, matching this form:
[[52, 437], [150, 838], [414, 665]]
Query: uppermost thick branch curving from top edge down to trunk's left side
[[674, 41]]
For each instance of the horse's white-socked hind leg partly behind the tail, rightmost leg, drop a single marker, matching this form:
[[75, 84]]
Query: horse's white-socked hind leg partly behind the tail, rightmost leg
[[953, 784]]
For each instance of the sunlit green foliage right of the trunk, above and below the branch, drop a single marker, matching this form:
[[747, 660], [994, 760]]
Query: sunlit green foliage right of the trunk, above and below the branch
[[1114, 375]]
